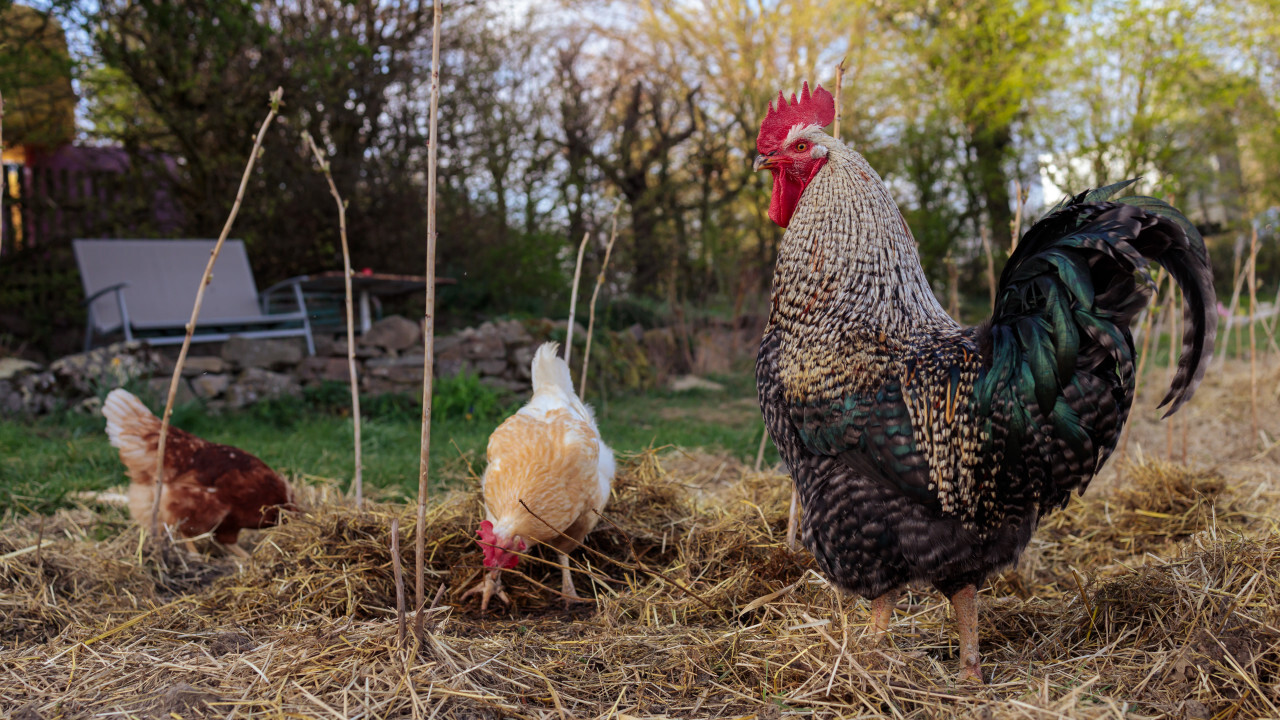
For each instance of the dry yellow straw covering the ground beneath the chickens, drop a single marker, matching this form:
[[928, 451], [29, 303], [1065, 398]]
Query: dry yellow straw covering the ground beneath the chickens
[[1158, 595]]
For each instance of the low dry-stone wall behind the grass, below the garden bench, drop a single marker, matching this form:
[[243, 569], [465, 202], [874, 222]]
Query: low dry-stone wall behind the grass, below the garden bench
[[390, 359]]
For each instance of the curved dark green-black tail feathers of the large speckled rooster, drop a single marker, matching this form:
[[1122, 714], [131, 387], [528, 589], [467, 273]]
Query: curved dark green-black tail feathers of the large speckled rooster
[[1098, 248]]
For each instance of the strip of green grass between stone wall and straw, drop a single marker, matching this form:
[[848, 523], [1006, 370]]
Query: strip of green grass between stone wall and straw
[[44, 459]]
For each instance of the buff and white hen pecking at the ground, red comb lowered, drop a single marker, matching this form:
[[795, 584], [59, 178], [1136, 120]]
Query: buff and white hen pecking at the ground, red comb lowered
[[548, 479]]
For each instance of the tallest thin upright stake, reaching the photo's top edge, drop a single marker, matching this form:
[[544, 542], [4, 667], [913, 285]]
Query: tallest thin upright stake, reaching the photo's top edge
[[429, 318]]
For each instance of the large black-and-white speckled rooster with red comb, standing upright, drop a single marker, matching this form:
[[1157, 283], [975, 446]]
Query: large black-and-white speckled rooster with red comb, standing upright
[[927, 452]]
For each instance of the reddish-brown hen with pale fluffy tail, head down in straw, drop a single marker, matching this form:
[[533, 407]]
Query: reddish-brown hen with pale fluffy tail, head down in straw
[[208, 487]]
